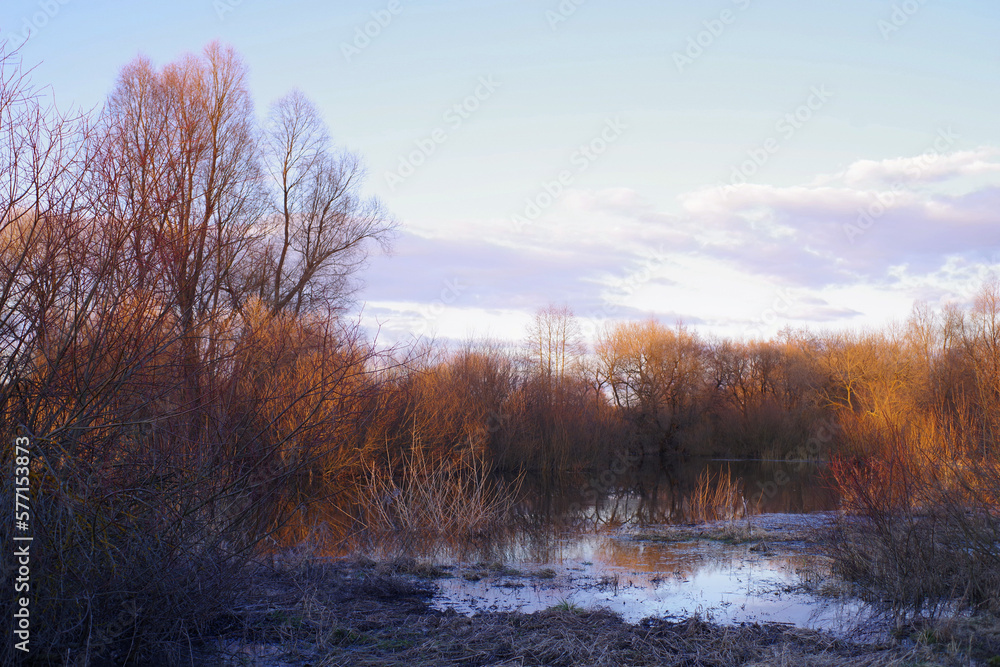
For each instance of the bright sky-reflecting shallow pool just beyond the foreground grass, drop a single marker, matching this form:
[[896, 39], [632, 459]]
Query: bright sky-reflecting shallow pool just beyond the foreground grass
[[638, 578]]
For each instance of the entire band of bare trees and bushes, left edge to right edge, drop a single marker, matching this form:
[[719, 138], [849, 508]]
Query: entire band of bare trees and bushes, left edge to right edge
[[174, 278]]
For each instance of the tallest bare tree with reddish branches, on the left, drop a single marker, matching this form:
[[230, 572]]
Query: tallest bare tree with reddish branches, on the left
[[180, 172]]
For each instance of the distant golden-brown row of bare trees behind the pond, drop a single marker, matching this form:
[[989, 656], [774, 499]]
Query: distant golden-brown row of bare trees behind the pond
[[654, 392]]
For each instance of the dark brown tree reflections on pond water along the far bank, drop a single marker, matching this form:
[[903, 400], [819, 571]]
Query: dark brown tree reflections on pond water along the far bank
[[546, 512]]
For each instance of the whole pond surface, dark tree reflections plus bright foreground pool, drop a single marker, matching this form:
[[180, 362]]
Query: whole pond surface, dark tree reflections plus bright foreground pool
[[580, 525]]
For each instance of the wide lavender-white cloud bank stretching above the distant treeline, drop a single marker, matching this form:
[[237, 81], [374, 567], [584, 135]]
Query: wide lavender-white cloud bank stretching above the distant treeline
[[846, 246]]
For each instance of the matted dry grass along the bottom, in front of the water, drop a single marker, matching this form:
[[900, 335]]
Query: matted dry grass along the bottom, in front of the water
[[366, 615]]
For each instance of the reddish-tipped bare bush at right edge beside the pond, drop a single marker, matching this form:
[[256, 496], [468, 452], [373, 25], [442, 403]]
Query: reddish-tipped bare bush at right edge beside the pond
[[924, 535]]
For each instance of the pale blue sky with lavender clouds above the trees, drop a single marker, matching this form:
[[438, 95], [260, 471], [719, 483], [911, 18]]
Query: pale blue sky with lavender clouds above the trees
[[736, 165]]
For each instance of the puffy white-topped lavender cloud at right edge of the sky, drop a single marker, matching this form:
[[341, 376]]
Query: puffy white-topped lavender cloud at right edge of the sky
[[831, 233]]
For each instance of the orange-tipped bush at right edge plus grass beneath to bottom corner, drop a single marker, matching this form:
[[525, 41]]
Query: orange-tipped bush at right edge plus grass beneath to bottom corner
[[921, 539]]
